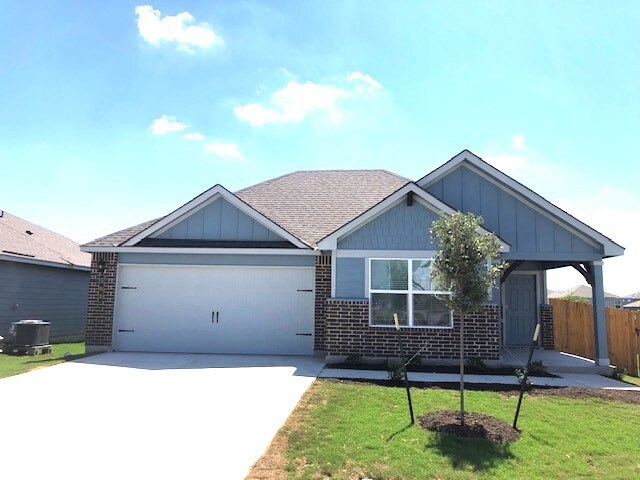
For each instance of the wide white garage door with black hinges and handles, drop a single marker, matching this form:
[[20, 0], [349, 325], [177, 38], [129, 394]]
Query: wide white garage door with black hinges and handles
[[203, 309]]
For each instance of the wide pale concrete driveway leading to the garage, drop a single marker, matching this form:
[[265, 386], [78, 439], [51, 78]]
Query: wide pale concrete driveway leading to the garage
[[142, 415]]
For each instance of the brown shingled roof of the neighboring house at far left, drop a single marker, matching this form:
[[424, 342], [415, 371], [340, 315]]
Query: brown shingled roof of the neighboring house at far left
[[24, 241]]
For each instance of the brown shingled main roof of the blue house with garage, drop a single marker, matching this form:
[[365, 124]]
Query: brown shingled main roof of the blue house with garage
[[307, 204]]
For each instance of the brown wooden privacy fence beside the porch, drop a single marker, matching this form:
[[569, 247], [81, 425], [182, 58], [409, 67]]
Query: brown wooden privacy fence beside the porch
[[573, 332]]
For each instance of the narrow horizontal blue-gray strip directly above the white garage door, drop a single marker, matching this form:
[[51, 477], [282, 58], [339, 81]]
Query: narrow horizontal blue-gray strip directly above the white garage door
[[217, 259]]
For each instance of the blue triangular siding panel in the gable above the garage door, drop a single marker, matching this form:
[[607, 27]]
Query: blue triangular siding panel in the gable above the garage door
[[219, 221]]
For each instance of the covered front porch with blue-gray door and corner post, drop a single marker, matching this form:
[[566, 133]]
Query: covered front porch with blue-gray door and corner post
[[523, 298]]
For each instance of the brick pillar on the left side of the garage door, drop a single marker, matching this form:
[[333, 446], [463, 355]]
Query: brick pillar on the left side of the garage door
[[102, 288]]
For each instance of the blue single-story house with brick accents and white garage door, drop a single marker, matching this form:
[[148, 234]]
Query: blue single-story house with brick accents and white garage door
[[318, 261]]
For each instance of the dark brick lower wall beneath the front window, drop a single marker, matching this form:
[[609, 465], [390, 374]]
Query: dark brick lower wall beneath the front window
[[348, 332]]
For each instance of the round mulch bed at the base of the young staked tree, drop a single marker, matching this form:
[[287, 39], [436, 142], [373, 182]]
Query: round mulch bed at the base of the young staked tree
[[476, 425]]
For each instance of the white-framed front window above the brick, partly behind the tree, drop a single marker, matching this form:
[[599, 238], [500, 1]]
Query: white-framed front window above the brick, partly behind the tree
[[404, 287]]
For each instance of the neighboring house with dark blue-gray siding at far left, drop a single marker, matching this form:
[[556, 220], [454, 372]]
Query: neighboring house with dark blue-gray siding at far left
[[43, 276]]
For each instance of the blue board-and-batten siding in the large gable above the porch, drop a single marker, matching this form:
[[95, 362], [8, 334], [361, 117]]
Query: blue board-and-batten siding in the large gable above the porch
[[531, 234]]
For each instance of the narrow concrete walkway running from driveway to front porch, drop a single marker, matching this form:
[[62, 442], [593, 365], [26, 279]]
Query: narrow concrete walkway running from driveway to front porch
[[581, 380]]
